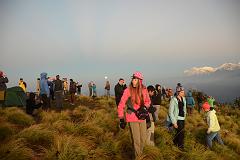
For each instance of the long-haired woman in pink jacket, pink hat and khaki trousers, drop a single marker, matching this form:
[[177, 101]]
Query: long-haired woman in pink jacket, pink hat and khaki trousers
[[137, 95]]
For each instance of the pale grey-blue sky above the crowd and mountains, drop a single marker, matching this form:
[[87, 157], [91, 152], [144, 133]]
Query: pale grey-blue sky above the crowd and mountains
[[88, 40]]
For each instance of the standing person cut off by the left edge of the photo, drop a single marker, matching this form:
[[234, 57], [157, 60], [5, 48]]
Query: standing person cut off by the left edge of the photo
[[3, 87]]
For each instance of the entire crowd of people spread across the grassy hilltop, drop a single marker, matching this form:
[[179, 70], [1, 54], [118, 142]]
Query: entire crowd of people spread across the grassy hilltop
[[137, 105]]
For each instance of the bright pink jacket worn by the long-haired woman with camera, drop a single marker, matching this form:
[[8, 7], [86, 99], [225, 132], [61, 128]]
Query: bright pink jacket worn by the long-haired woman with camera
[[132, 117]]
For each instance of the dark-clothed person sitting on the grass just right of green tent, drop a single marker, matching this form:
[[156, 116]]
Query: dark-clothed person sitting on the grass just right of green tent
[[31, 104]]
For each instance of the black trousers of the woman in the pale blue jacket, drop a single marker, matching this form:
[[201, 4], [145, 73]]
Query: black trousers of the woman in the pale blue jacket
[[179, 137]]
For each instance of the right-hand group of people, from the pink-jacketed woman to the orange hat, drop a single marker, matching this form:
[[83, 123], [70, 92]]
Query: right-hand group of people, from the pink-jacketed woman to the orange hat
[[139, 98]]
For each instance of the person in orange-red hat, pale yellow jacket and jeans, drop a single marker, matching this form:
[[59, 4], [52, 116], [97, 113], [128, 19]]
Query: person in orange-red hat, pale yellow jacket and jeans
[[213, 125]]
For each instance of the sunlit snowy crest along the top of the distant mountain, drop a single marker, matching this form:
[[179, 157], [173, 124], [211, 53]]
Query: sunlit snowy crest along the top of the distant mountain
[[208, 70]]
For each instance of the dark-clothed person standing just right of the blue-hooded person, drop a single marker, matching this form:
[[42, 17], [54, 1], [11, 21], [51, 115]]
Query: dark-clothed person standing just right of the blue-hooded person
[[58, 92]]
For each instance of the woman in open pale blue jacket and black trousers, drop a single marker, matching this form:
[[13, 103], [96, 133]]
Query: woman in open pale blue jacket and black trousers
[[177, 115]]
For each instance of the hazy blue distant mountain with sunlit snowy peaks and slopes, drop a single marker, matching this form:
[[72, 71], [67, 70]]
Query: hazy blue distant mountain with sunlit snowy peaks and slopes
[[222, 82]]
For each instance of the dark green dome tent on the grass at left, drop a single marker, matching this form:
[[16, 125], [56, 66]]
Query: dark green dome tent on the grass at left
[[15, 96]]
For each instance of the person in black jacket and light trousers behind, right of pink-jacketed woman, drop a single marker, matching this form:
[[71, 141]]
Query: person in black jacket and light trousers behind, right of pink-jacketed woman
[[157, 99]]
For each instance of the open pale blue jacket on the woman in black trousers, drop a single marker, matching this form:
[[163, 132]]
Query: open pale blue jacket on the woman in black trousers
[[173, 111]]
